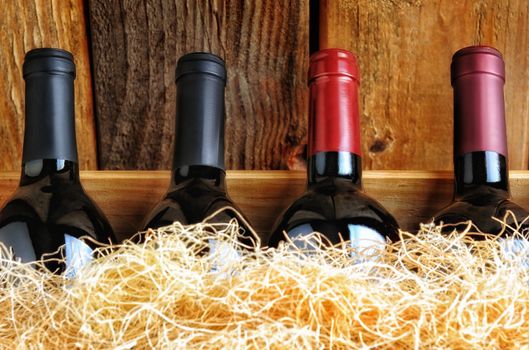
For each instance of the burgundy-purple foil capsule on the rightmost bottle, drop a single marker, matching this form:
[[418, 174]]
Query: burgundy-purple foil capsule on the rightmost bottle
[[478, 76]]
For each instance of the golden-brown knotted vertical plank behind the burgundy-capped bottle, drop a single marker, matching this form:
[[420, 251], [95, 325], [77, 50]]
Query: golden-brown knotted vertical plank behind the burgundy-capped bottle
[[404, 50]]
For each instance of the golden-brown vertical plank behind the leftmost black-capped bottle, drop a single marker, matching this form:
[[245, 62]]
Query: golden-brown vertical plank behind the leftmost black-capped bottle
[[28, 24]]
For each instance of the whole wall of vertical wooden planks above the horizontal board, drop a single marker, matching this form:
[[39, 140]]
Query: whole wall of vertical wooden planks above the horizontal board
[[126, 52]]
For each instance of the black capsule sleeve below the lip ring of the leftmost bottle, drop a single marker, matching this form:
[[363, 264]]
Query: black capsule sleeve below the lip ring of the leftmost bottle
[[50, 122]]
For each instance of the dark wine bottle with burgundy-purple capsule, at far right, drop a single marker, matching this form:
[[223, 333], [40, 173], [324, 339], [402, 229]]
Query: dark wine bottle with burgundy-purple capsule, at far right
[[481, 190]]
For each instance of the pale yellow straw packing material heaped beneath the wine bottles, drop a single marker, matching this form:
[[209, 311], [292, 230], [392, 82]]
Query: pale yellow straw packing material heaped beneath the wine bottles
[[427, 291]]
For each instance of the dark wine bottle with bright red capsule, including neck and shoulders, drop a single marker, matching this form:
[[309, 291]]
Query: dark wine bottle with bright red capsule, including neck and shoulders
[[335, 204]]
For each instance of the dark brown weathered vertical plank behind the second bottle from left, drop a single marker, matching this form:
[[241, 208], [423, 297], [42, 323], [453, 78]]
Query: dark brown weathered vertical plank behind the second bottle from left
[[136, 45]]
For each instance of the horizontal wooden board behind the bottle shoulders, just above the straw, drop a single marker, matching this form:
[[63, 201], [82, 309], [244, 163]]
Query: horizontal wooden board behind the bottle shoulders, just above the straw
[[412, 196]]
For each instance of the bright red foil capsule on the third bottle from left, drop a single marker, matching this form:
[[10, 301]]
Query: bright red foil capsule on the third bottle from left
[[334, 123]]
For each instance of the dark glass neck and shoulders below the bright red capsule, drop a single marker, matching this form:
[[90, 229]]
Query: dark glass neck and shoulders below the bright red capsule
[[336, 206]]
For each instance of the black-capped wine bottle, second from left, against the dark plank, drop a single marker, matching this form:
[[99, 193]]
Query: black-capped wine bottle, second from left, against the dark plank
[[197, 190]]
